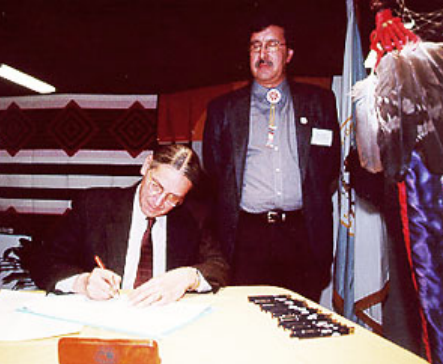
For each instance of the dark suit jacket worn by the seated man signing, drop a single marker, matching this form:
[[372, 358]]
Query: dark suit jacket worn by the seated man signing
[[99, 224]]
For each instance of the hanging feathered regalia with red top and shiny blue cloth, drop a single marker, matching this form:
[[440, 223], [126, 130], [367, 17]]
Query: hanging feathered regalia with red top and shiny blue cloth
[[399, 130]]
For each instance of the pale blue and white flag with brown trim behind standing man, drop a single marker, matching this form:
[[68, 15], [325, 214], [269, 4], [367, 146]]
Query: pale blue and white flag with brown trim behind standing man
[[360, 265]]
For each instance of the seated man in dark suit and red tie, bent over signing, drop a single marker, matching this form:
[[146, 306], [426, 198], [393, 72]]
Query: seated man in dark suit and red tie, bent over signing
[[108, 225]]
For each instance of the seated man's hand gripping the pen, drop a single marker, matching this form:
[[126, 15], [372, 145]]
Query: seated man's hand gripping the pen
[[100, 284]]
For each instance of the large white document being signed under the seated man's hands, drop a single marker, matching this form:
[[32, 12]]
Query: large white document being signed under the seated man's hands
[[117, 314]]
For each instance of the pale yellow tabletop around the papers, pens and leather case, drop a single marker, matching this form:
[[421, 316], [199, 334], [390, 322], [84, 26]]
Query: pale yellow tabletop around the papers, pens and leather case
[[237, 332]]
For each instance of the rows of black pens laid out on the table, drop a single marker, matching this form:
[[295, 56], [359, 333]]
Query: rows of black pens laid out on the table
[[301, 320]]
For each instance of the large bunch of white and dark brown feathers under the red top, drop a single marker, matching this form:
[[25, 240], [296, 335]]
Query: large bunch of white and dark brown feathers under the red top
[[407, 97]]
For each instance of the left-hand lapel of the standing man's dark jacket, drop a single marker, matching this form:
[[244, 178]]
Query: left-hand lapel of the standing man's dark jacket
[[240, 132]]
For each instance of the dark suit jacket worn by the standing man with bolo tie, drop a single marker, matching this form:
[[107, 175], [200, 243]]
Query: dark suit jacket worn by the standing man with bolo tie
[[225, 145]]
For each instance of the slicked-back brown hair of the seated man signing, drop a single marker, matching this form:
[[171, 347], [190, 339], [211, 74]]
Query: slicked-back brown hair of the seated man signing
[[180, 157]]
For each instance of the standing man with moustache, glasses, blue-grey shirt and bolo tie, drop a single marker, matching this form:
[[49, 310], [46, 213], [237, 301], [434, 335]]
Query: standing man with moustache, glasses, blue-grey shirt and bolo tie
[[272, 150]]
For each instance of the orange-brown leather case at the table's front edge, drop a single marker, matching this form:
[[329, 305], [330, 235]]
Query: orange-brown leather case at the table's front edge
[[75, 350]]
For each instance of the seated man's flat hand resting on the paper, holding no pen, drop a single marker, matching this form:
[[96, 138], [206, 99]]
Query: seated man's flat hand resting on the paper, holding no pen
[[166, 288]]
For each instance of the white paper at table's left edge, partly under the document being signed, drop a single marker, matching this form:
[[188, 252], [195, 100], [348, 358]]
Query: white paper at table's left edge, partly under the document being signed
[[18, 326]]
